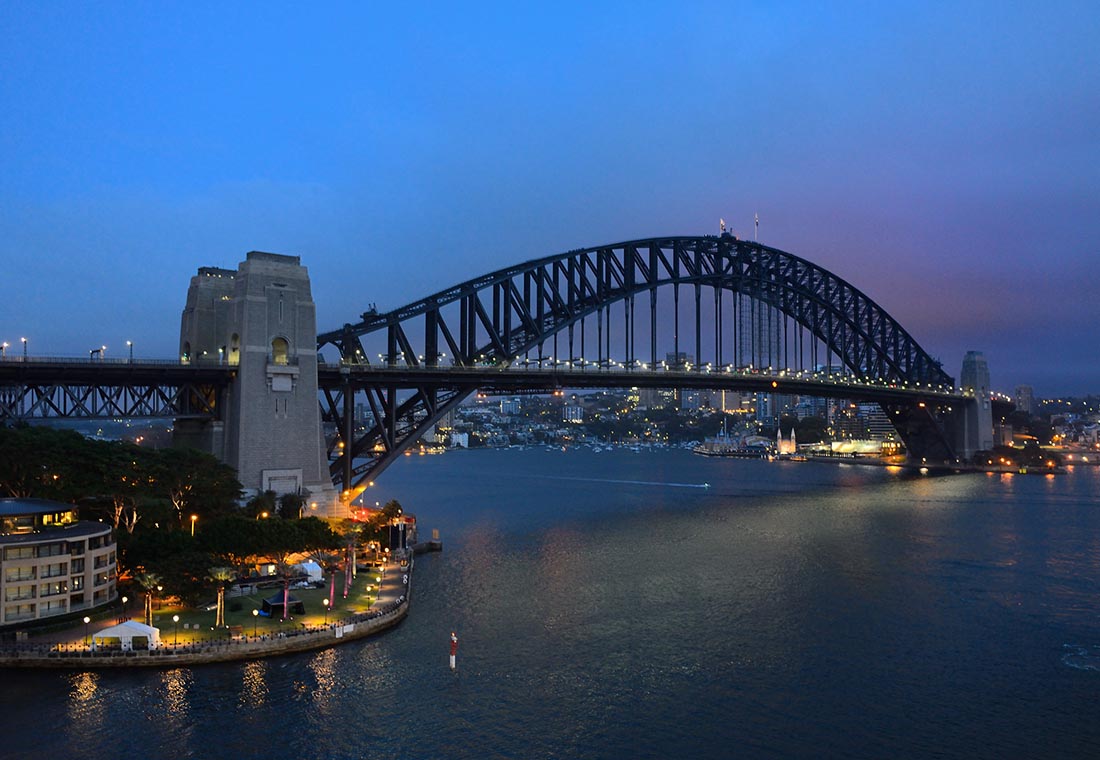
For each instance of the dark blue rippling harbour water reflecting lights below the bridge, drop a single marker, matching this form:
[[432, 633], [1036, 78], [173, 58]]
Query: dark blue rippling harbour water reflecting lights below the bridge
[[609, 607]]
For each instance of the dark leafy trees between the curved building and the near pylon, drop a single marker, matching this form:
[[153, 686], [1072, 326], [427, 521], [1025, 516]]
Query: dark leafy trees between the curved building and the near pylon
[[151, 498]]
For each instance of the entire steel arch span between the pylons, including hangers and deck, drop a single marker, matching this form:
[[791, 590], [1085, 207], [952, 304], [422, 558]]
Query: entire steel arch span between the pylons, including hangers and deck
[[747, 310]]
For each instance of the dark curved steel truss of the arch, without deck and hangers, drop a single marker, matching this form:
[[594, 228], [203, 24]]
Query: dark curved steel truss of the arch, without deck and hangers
[[497, 318]]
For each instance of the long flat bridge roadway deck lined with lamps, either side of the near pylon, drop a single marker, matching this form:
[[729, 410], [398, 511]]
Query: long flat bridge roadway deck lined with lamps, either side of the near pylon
[[64, 388]]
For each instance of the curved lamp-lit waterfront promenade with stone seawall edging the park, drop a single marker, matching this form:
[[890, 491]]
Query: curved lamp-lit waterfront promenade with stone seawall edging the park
[[71, 651]]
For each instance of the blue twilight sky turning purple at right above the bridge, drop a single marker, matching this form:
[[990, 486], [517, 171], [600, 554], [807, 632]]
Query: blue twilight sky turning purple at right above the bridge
[[943, 158]]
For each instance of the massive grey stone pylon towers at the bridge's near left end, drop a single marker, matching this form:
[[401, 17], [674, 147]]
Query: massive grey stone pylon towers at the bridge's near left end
[[261, 320]]
